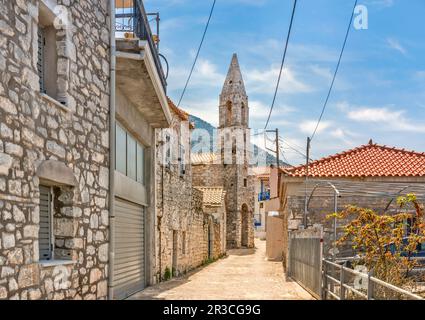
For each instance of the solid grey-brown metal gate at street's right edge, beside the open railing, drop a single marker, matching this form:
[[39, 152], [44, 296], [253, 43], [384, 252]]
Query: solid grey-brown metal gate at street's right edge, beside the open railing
[[305, 259]]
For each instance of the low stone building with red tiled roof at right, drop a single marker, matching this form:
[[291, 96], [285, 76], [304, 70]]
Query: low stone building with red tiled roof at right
[[370, 176]]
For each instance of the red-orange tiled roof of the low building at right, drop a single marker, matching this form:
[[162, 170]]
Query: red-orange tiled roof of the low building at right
[[370, 160]]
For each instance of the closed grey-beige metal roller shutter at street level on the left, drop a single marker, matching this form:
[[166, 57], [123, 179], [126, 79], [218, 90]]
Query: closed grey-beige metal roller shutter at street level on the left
[[129, 265]]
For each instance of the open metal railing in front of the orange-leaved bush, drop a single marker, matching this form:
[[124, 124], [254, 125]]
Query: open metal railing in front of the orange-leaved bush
[[338, 284]]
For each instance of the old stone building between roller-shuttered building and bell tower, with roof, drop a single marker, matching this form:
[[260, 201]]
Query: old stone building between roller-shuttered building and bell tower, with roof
[[190, 223]]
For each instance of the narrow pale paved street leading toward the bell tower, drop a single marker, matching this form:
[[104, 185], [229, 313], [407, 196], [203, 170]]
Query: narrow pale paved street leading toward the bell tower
[[244, 274]]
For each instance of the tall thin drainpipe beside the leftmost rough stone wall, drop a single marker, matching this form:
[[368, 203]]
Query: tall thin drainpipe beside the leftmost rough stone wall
[[112, 155]]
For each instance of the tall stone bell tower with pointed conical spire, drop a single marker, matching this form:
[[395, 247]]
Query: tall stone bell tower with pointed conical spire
[[234, 149]]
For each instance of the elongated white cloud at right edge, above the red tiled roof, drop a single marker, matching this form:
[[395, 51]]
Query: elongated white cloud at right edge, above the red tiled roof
[[388, 119]]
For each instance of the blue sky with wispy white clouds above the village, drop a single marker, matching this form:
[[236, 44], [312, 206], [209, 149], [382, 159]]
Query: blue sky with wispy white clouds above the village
[[379, 92]]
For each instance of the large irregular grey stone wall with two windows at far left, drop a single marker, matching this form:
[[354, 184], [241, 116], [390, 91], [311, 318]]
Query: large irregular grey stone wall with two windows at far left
[[34, 129]]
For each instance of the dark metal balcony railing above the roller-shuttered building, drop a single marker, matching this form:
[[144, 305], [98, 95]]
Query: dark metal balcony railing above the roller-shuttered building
[[130, 16]]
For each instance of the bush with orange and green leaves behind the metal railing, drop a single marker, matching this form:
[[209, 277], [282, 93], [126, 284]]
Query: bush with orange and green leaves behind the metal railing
[[379, 238]]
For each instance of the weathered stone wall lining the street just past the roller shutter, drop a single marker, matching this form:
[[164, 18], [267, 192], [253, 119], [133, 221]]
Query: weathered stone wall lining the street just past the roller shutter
[[182, 225]]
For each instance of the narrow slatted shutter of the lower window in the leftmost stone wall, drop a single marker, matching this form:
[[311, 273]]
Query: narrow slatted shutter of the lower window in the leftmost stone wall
[[45, 232]]
